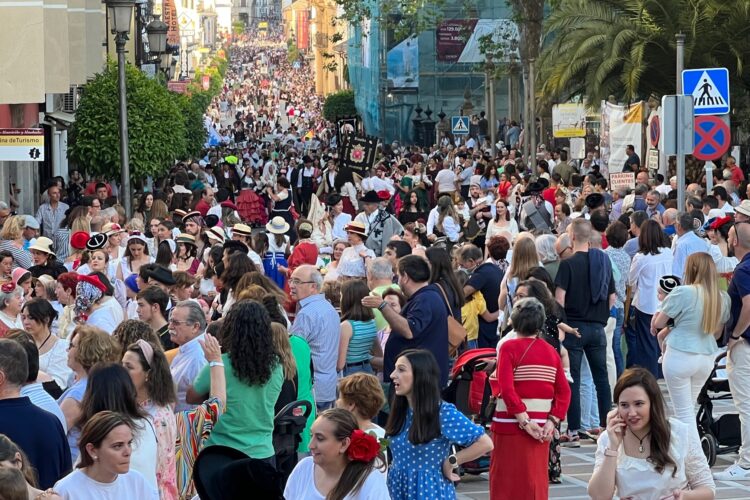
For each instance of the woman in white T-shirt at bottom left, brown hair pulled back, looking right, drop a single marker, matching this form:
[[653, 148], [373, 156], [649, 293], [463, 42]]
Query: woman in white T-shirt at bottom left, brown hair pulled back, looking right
[[104, 470]]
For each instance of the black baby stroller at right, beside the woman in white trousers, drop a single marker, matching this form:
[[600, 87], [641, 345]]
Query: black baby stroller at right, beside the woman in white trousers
[[722, 435]]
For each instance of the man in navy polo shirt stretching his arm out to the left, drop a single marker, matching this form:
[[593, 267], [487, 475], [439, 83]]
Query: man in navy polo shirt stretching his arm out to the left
[[423, 322]]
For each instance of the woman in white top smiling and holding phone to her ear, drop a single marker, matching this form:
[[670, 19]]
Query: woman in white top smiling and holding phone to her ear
[[644, 454]]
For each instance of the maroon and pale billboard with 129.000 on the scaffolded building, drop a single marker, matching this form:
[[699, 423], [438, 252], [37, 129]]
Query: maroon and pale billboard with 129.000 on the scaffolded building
[[458, 40]]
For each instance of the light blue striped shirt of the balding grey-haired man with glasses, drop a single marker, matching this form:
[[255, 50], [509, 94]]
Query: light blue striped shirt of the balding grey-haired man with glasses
[[318, 323]]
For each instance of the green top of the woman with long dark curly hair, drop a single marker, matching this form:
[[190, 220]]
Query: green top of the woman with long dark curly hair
[[247, 424]]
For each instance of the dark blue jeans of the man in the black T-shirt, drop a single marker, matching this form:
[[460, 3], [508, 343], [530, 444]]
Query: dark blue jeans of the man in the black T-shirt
[[593, 344]]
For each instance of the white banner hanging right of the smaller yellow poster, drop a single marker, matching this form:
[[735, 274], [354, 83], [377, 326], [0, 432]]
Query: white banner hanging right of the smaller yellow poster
[[620, 126]]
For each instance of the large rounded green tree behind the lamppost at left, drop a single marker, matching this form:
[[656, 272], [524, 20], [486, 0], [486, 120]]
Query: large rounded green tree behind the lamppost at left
[[156, 126]]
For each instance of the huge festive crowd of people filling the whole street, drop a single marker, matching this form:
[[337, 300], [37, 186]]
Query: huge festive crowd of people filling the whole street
[[135, 348]]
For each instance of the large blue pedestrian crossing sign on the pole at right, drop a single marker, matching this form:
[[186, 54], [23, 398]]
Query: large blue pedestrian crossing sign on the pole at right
[[709, 88]]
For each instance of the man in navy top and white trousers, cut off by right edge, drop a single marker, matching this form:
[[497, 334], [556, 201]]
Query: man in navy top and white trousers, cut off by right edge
[[738, 343]]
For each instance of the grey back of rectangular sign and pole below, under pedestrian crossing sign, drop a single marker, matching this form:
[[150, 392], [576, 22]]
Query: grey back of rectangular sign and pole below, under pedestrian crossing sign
[[678, 135]]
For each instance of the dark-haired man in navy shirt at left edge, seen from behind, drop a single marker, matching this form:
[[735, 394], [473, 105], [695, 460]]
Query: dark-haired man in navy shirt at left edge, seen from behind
[[37, 432]]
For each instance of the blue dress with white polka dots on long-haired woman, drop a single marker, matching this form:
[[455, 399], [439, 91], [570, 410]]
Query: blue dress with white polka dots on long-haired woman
[[416, 472]]
